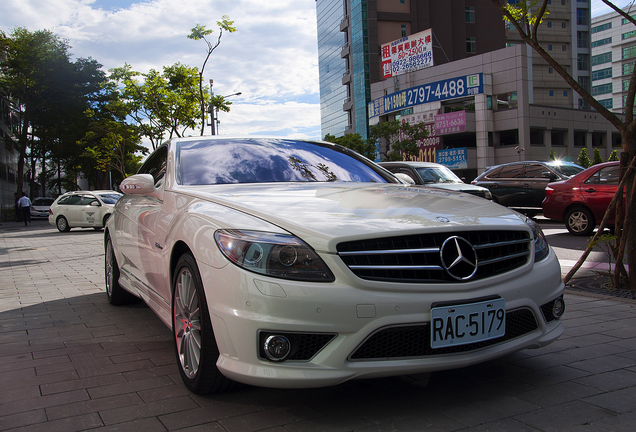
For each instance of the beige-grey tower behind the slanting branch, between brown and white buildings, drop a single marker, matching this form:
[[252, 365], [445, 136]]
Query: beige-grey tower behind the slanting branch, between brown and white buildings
[[565, 35]]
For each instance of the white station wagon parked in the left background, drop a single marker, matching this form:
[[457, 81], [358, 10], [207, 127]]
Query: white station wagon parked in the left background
[[82, 209]]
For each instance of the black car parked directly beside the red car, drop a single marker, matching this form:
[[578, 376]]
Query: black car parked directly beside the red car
[[521, 185]]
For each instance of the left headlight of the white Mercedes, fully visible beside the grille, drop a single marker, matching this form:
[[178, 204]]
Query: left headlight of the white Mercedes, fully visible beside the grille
[[276, 255]]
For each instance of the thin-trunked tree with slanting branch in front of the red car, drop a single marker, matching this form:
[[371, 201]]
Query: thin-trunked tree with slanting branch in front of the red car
[[526, 16]]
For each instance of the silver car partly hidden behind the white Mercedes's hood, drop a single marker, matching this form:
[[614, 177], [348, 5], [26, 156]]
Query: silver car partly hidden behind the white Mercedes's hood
[[435, 175]]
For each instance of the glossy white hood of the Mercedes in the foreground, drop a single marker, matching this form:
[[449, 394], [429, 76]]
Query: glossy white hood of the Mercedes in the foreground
[[324, 214]]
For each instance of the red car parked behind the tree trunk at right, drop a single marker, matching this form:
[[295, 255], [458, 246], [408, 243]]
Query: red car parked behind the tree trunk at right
[[581, 201]]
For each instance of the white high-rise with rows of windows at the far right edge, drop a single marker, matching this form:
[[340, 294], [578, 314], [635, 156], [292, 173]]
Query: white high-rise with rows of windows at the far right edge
[[613, 57]]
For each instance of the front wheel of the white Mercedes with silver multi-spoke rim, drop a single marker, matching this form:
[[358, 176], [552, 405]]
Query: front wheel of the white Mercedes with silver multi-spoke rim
[[193, 336]]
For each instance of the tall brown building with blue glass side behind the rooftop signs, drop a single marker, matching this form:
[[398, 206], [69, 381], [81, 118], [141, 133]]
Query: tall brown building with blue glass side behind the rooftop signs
[[350, 61]]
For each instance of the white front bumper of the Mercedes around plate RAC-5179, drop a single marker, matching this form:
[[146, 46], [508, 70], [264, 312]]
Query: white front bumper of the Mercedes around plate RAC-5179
[[243, 305]]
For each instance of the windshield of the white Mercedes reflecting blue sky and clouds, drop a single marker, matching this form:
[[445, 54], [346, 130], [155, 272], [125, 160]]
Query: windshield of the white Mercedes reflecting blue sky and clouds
[[266, 160]]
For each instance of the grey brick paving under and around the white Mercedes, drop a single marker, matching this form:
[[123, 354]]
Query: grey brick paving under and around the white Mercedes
[[69, 361]]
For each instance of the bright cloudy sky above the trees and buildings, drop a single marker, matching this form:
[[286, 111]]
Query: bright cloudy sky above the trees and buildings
[[272, 59]]
